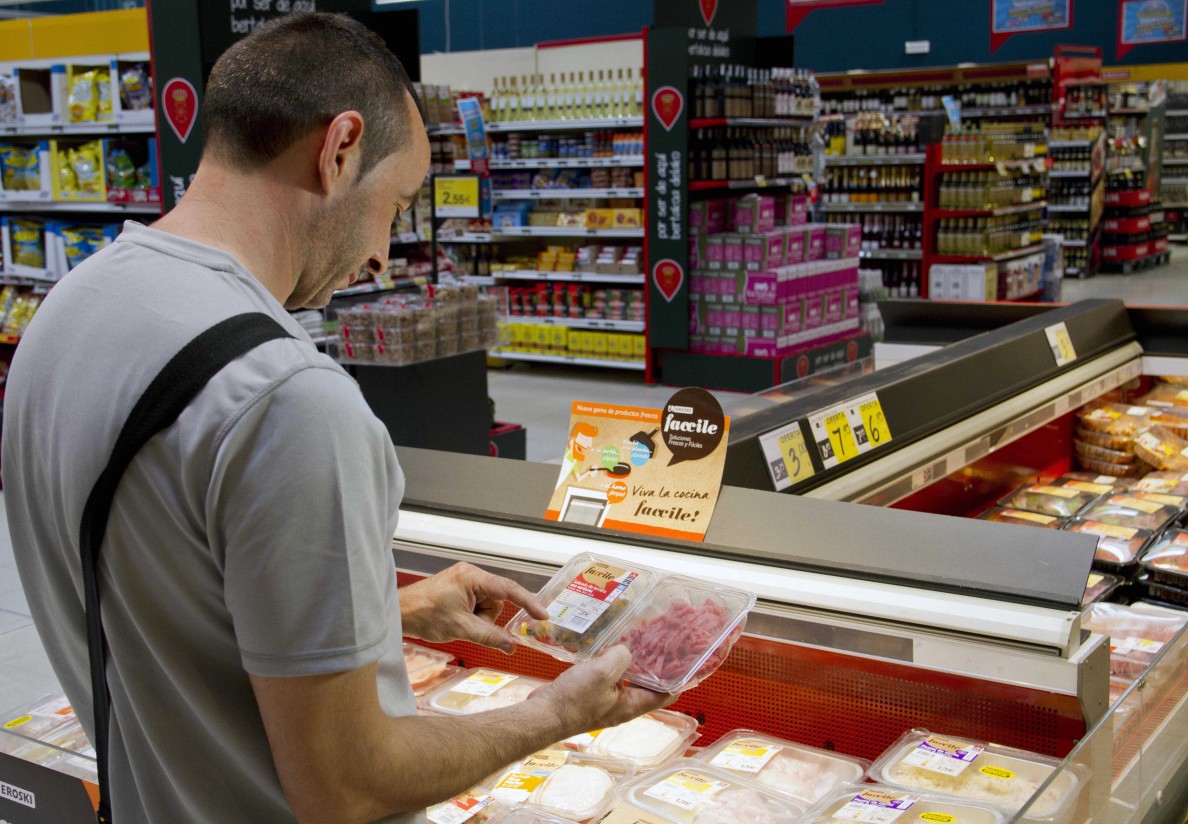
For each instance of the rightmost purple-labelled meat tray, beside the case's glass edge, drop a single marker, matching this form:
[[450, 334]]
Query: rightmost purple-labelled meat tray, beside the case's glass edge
[[978, 771]]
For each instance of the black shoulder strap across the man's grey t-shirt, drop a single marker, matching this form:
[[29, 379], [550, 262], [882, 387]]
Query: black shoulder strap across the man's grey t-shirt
[[170, 392]]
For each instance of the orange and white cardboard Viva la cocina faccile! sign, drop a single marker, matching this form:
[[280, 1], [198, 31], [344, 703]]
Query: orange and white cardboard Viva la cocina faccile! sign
[[654, 472]]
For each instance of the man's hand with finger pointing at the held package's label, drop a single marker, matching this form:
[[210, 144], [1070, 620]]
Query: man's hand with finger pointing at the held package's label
[[462, 605]]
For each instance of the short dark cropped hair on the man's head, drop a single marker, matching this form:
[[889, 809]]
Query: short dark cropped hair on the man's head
[[298, 74]]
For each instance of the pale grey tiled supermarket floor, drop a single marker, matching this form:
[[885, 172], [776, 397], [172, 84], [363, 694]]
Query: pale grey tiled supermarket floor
[[540, 398]]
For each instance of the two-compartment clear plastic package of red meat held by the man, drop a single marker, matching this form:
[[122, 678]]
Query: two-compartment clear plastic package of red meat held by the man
[[679, 630]]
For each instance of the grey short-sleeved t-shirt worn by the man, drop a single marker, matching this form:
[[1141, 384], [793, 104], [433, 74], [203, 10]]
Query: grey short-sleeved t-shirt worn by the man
[[252, 536]]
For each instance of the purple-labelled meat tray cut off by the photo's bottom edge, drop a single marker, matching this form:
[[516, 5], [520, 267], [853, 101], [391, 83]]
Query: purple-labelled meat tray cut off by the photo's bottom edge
[[882, 803]]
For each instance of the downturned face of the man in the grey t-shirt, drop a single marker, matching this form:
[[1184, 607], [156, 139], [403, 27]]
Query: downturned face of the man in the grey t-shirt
[[356, 230]]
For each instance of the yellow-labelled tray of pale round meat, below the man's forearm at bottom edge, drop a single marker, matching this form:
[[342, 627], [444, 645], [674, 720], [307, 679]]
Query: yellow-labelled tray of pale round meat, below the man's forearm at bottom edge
[[563, 783]]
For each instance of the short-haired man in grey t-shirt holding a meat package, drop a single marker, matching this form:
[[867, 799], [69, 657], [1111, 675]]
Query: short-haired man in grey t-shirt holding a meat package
[[248, 578]]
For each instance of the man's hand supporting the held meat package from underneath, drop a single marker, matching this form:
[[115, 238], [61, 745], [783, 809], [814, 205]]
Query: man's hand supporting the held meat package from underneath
[[592, 695]]
